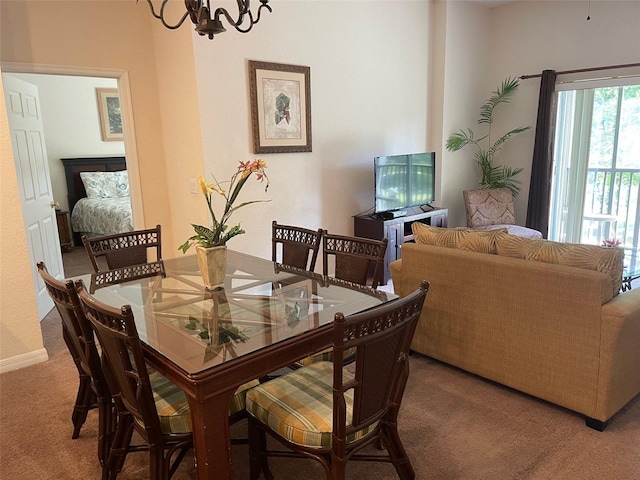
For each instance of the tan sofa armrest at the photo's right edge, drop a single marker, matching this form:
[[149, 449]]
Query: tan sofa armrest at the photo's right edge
[[619, 380]]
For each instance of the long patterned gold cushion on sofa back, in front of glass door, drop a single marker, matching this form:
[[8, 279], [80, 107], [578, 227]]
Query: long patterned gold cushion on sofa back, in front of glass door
[[590, 257]]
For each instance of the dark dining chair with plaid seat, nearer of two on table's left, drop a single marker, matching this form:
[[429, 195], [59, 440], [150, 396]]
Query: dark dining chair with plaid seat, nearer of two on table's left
[[150, 404]]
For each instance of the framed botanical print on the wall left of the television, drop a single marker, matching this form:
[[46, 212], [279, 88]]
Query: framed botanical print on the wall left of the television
[[280, 107]]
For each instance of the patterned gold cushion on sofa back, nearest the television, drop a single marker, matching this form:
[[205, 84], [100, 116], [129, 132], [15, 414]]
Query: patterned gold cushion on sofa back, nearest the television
[[483, 241]]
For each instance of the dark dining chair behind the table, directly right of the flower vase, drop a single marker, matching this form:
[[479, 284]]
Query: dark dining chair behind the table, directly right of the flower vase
[[295, 246]]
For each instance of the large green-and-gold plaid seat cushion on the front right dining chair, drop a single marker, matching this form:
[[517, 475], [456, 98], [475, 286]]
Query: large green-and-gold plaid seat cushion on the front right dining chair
[[299, 405]]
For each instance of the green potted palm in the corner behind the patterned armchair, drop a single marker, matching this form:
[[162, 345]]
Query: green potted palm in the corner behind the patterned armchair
[[493, 176]]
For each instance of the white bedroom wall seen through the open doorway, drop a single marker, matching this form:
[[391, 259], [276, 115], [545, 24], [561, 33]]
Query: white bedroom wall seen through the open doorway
[[70, 118]]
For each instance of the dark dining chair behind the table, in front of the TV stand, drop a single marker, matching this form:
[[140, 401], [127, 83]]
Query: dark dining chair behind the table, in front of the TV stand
[[355, 259]]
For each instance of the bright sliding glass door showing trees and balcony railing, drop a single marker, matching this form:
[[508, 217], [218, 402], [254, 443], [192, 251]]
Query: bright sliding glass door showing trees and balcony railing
[[596, 177]]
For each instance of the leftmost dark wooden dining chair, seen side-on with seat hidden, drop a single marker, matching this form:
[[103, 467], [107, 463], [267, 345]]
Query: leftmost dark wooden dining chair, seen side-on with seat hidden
[[93, 389]]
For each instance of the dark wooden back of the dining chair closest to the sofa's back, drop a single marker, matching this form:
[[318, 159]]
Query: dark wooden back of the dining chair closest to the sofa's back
[[382, 337]]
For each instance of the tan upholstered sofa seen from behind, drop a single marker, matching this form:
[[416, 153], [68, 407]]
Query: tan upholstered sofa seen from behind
[[554, 331]]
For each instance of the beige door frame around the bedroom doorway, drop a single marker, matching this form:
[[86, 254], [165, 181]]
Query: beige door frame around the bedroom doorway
[[124, 90]]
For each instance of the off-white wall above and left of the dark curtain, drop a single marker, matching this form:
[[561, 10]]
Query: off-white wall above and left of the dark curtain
[[528, 37]]
